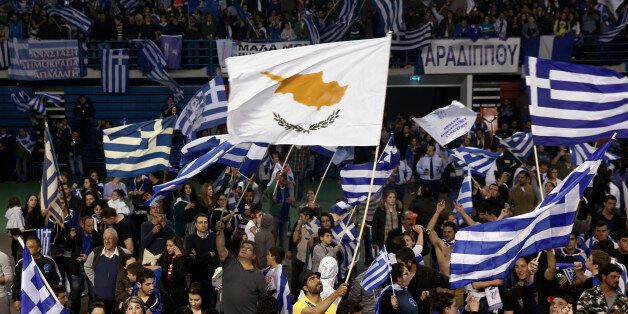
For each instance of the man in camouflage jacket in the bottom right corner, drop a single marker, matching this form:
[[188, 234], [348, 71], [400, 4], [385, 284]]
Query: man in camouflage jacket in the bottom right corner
[[605, 298]]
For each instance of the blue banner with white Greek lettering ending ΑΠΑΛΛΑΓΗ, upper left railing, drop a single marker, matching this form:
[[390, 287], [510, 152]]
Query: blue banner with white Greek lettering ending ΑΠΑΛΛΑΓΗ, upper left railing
[[39, 60]]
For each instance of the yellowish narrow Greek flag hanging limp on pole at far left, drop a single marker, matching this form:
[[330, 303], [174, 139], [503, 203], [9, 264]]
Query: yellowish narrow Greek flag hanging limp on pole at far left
[[49, 195]]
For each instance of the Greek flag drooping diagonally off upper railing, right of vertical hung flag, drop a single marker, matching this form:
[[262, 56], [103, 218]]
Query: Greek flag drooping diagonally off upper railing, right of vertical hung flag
[[152, 63]]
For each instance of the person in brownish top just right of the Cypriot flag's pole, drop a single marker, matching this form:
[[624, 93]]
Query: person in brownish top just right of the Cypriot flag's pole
[[386, 218]]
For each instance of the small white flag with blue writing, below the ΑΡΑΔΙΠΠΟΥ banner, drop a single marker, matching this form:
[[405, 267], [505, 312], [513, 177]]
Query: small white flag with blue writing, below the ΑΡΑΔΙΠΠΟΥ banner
[[448, 123]]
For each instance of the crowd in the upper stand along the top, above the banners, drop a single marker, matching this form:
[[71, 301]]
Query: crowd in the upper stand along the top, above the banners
[[282, 20]]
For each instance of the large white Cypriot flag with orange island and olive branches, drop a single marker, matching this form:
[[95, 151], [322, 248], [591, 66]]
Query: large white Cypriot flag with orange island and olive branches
[[329, 94]]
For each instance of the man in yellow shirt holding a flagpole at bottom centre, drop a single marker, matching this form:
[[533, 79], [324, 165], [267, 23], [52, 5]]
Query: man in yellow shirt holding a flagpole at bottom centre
[[312, 303]]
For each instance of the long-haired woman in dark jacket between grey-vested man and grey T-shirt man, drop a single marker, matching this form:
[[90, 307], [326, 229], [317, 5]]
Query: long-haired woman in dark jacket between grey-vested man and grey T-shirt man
[[174, 265]]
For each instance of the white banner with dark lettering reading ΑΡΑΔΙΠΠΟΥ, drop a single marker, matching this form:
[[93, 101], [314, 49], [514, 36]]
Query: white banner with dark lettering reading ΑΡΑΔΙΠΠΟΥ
[[493, 55]]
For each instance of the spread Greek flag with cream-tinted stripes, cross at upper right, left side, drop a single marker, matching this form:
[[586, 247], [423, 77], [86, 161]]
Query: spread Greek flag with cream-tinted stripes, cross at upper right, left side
[[139, 148]]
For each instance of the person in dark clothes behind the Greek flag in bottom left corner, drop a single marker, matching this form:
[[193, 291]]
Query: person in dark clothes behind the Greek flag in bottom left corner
[[46, 265]]
